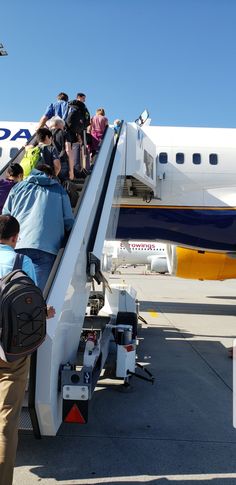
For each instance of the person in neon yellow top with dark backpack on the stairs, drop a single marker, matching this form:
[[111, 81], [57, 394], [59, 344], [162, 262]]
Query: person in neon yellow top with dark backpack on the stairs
[[42, 152]]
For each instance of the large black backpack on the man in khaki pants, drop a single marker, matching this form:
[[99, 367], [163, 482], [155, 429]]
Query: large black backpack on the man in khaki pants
[[22, 313]]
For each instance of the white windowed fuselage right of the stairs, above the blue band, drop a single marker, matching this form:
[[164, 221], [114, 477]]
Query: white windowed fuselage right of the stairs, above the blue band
[[187, 165]]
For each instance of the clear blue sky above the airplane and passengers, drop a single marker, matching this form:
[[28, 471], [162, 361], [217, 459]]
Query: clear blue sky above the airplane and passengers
[[177, 58]]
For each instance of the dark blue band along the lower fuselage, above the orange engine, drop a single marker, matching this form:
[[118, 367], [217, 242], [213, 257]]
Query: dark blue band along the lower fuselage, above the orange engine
[[209, 228]]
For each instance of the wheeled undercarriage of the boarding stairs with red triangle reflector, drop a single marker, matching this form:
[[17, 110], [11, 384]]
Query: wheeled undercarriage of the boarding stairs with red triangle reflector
[[102, 335]]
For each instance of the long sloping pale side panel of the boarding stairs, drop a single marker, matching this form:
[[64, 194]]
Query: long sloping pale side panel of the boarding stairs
[[68, 291]]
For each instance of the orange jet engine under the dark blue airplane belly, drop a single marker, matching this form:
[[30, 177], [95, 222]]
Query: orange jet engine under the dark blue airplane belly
[[200, 264]]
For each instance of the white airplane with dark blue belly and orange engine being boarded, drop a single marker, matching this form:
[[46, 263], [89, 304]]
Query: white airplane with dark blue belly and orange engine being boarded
[[190, 203]]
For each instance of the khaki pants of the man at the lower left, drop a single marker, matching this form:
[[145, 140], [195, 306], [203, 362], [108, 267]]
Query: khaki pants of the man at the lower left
[[13, 378]]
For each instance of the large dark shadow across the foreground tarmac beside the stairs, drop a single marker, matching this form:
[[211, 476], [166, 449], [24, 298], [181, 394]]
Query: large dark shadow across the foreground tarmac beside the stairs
[[180, 426]]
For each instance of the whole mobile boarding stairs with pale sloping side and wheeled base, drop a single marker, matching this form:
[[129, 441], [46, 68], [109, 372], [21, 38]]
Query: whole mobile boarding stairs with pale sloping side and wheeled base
[[65, 369]]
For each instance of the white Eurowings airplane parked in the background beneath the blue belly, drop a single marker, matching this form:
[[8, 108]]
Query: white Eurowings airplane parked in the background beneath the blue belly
[[151, 254]]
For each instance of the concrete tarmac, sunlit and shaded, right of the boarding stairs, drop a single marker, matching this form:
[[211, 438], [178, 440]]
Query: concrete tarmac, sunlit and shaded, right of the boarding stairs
[[177, 431]]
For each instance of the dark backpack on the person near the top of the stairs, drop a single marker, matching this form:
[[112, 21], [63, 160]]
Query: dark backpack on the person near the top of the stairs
[[76, 120]]
